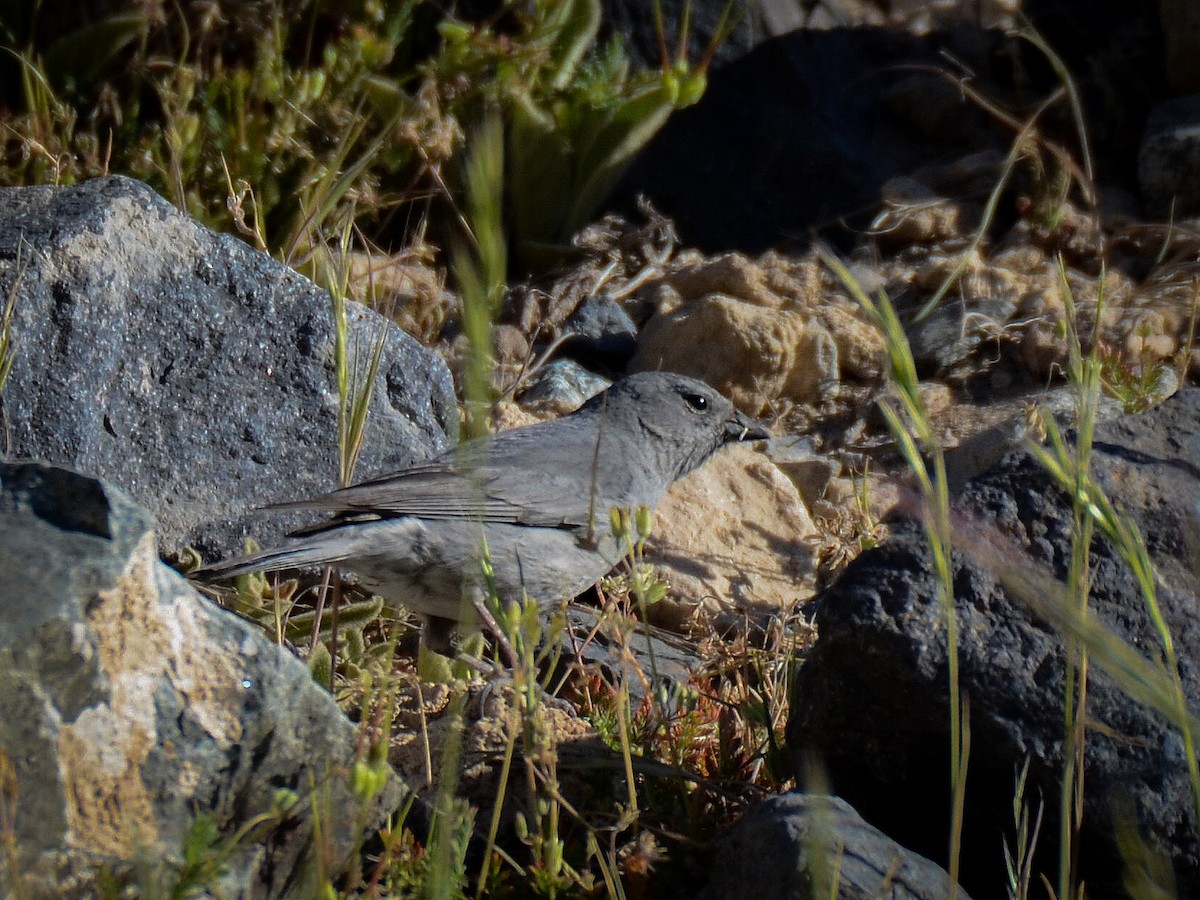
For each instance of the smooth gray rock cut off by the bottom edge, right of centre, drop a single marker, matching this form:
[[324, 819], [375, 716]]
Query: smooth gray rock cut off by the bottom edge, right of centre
[[770, 855]]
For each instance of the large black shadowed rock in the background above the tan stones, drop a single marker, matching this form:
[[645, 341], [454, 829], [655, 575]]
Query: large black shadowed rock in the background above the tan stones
[[795, 136]]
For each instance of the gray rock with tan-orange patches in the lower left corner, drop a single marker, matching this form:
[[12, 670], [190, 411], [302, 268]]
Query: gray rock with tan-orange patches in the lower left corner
[[129, 705]]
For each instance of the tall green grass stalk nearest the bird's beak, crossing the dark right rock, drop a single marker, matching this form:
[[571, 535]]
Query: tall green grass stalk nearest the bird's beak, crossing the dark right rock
[[914, 434]]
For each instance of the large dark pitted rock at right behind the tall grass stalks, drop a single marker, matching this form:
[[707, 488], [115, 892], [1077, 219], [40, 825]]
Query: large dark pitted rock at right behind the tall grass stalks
[[872, 700]]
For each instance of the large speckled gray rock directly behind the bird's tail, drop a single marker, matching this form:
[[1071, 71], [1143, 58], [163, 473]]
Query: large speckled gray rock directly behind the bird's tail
[[187, 368]]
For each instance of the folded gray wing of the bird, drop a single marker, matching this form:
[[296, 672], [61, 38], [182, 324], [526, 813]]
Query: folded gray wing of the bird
[[535, 477]]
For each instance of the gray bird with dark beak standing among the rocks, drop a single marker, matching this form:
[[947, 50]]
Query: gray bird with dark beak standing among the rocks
[[539, 497]]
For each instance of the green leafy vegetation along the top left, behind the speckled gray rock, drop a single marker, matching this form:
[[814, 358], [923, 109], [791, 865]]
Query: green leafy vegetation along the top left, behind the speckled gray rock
[[309, 119]]
